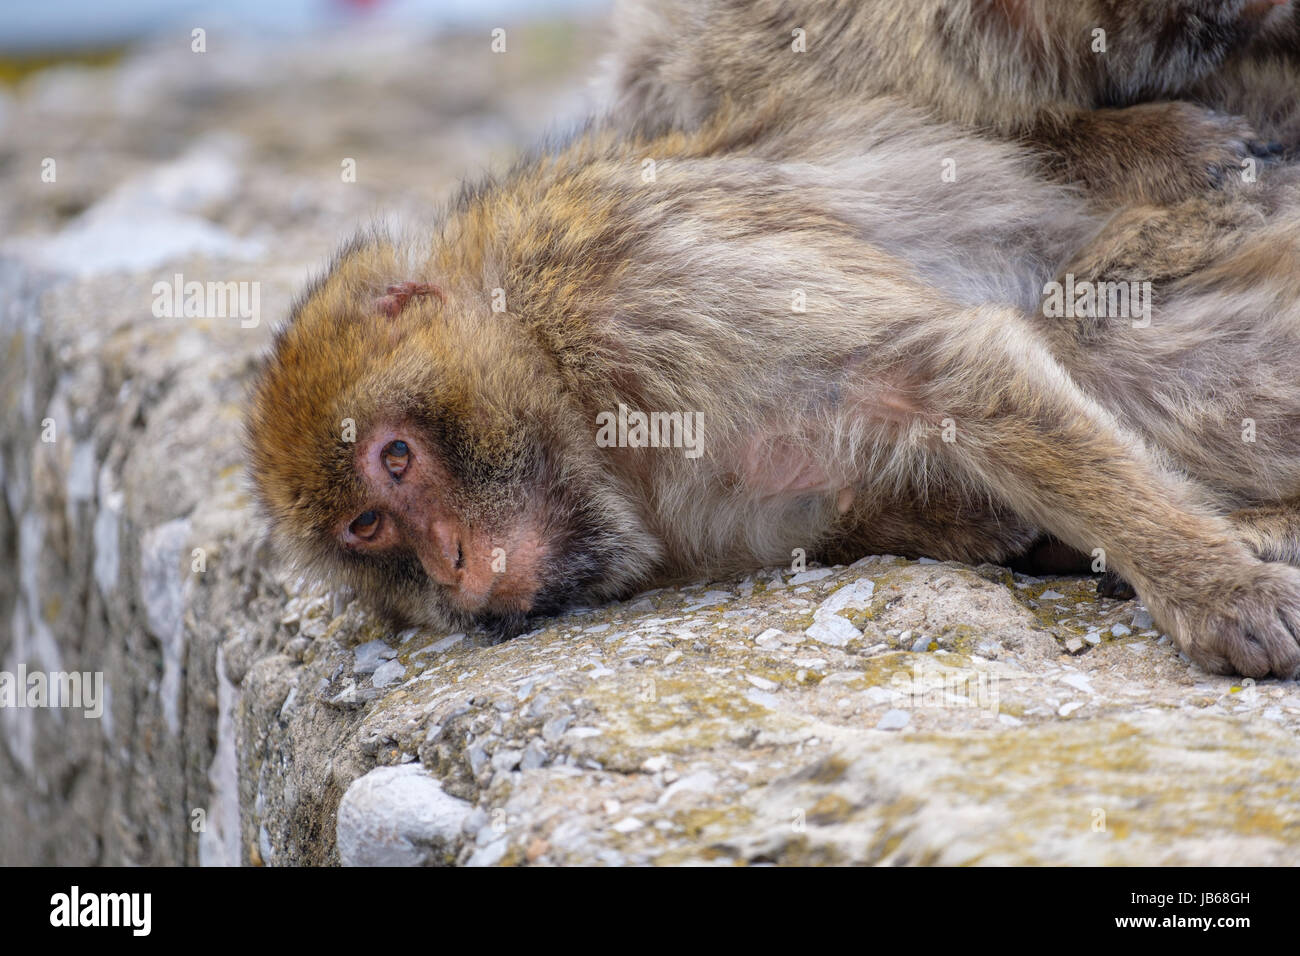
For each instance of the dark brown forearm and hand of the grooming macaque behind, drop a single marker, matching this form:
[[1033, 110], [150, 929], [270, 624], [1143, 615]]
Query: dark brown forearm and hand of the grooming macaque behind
[[1154, 153]]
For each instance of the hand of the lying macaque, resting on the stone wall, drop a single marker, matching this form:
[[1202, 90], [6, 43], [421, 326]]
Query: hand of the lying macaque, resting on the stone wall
[[1250, 625]]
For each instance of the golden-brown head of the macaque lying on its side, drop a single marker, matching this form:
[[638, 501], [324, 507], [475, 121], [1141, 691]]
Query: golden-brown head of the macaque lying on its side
[[414, 444]]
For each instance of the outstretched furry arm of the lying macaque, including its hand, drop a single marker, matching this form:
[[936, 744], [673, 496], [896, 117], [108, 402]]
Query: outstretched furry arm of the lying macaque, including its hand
[[1026, 432]]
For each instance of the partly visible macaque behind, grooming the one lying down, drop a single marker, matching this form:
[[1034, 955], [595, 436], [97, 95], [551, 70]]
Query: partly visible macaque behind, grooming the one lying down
[[1098, 89]]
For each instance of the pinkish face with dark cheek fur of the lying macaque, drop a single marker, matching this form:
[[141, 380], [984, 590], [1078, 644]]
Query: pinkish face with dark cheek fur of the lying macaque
[[448, 526]]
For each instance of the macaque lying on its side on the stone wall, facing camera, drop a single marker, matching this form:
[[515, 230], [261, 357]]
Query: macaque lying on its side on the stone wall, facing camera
[[861, 345]]
